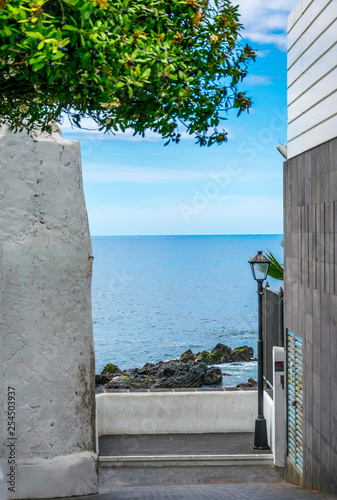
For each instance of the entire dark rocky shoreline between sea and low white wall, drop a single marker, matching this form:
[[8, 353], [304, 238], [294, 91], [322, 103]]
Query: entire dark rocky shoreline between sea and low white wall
[[189, 371]]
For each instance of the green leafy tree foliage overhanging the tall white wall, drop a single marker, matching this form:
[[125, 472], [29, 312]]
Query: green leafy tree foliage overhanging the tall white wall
[[139, 64]]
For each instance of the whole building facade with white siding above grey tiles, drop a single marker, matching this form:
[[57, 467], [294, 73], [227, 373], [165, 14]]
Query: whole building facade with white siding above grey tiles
[[310, 250]]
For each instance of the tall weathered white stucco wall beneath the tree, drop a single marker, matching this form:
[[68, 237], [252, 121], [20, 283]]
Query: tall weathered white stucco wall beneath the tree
[[46, 327]]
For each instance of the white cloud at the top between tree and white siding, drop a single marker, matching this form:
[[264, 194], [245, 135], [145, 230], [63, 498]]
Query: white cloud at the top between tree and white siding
[[266, 22]]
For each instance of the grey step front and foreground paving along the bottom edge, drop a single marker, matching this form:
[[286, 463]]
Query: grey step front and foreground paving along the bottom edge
[[199, 483]]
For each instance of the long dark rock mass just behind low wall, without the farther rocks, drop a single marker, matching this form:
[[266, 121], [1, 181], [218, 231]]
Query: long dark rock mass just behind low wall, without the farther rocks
[[167, 375]]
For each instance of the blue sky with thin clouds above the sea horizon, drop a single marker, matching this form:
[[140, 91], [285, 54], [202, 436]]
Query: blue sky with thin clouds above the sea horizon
[[136, 186]]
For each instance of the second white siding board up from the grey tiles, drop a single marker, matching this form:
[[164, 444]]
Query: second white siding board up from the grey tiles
[[311, 118]]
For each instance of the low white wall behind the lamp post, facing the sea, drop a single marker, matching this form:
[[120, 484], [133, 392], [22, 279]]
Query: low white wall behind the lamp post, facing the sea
[[176, 412]]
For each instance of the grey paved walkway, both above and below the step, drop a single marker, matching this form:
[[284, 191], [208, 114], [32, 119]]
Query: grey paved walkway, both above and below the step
[[192, 482]]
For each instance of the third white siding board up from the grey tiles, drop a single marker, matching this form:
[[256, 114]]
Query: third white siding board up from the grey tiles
[[322, 89]]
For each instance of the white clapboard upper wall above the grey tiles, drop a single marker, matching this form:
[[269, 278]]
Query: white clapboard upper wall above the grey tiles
[[312, 75]]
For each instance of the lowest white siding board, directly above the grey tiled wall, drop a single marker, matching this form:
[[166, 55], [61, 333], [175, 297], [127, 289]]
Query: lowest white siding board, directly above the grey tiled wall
[[322, 133]]
